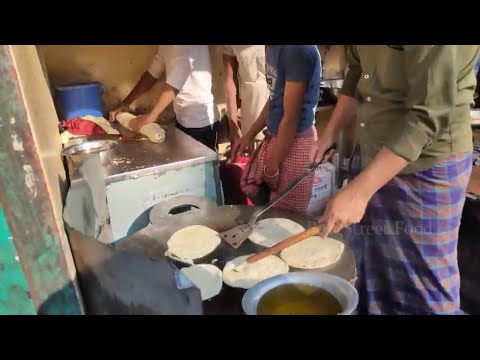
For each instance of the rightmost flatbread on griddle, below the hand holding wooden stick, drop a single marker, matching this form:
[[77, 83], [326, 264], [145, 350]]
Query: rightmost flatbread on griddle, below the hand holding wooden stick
[[313, 253]]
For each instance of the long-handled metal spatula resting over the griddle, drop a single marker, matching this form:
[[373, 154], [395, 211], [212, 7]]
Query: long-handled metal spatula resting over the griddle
[[236, 236]]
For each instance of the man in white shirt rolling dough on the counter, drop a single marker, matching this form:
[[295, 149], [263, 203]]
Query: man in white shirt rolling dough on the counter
[[188, 83]]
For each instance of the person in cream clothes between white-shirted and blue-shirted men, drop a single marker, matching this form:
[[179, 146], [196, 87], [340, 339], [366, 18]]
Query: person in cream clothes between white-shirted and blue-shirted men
[[244, 81]]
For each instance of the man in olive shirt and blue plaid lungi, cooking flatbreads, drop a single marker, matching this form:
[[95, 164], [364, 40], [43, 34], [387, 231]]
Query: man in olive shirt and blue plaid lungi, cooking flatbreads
[[412, 104]]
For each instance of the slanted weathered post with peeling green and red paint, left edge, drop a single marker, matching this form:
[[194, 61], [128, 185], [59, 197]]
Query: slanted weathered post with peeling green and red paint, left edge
[[27, 204]]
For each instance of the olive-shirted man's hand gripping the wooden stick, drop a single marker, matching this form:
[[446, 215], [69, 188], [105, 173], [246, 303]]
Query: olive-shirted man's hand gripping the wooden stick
[[347, 207]]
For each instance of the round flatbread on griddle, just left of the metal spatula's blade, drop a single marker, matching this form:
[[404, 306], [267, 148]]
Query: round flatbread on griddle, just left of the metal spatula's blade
[[193, 242]]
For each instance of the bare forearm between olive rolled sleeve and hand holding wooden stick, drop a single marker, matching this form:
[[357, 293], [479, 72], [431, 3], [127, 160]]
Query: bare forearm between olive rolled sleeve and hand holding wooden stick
[[384, 166]]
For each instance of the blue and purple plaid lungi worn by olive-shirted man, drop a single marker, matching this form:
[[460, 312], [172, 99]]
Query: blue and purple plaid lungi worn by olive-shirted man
[[406, 244]]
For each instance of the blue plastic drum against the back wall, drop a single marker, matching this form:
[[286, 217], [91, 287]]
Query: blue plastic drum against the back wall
[[80, 100]]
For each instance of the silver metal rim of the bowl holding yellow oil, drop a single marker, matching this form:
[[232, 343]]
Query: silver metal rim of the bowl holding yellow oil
[[345, 293]]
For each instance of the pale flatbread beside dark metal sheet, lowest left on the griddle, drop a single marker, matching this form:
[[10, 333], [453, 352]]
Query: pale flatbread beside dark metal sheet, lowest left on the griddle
[[206, 277]]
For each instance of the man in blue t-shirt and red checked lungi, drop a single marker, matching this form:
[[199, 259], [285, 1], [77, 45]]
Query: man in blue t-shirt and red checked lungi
[[293, 75]]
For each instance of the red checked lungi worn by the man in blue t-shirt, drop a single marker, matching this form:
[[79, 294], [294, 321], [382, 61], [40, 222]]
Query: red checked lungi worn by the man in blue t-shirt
[[294, 164]]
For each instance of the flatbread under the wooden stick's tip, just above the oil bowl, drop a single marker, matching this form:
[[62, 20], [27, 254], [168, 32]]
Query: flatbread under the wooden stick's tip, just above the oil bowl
[[239, 274]]
